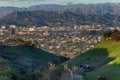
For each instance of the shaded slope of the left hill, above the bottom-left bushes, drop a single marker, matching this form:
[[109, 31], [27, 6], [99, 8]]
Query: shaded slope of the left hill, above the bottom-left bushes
[[25, 57]]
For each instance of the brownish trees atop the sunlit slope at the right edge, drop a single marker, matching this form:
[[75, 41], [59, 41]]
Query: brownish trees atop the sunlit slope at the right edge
[[115, 35]]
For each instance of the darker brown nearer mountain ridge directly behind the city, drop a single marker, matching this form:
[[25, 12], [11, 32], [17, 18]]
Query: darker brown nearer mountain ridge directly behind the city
[[50, 18]]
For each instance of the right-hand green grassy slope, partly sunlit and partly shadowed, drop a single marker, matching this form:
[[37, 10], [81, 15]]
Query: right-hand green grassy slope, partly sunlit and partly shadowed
[[106, 59]]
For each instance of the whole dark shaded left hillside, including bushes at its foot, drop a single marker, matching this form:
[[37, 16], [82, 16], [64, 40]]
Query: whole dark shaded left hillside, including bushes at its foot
[[24, 62]]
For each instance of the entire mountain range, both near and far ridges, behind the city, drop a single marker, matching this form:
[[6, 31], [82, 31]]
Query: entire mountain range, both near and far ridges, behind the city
[[61, 15]]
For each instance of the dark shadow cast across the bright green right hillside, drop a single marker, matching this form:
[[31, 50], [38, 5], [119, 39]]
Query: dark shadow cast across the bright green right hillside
[[96, 57]]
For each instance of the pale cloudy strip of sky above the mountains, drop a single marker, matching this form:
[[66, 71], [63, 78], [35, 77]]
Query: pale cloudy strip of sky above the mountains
[[27, 3]]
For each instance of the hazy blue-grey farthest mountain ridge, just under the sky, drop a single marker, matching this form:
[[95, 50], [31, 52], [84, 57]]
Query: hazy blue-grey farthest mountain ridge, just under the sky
[[102, 8]]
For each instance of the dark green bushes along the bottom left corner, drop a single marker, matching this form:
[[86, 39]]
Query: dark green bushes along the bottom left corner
[[10, 74]]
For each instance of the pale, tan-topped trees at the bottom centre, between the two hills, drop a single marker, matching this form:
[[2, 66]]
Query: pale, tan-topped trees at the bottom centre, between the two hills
[[60, 71]]
